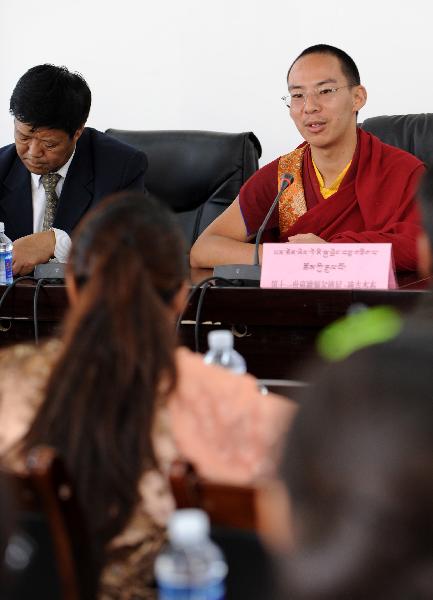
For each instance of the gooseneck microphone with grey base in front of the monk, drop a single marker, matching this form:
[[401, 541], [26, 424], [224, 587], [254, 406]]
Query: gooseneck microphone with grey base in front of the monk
[[250, 274]]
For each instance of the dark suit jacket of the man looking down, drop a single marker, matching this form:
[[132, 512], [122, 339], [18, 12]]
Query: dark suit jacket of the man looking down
[[101, 166]]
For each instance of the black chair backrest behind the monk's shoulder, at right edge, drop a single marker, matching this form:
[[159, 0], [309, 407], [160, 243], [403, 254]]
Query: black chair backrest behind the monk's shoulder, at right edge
[[413, 133]]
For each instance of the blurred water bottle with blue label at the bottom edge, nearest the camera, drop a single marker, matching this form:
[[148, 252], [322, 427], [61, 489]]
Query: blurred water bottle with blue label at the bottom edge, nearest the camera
[[191, 567]]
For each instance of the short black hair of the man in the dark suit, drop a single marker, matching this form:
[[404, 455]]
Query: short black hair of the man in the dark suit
[[52, 97]]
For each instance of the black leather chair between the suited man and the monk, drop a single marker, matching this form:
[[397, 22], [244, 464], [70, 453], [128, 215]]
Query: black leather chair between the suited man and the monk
[[197, 173]]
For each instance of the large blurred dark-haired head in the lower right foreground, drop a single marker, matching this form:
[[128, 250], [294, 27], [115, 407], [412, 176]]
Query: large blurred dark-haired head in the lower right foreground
[[358, 468]]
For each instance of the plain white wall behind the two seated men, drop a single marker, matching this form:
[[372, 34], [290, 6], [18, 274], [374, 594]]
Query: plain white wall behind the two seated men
[[215, 64]]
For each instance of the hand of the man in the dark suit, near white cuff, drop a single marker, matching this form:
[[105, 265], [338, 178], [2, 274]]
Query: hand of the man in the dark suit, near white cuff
[[32, 250]]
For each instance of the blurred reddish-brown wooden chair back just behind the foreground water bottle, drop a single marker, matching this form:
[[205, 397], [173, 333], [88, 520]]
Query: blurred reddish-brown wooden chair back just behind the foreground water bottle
[[227, 505]]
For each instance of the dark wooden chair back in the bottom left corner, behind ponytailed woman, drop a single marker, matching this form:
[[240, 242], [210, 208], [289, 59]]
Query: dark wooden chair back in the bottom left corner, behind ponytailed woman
[[48, 554]]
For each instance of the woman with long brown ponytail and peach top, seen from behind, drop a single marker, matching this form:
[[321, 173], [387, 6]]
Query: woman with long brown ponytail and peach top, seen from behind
[[120, 402]]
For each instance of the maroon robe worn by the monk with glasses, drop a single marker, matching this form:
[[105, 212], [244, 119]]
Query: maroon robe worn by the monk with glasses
[[375, 201]]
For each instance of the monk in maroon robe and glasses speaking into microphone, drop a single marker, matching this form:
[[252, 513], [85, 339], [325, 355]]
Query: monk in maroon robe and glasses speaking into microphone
[[348, 186]]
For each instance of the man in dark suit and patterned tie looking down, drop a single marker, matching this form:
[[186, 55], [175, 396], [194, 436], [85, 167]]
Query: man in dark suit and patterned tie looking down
[[58, 168]]
